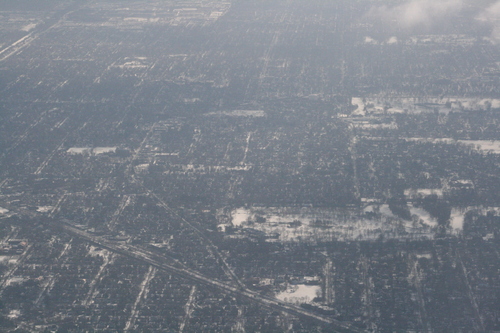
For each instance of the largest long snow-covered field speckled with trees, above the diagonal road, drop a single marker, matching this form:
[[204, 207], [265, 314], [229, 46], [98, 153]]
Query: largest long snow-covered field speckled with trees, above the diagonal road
[[294, 224]]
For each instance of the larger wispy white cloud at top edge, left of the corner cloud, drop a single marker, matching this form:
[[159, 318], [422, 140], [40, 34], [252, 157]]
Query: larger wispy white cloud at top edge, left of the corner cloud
[[418, 13]]
